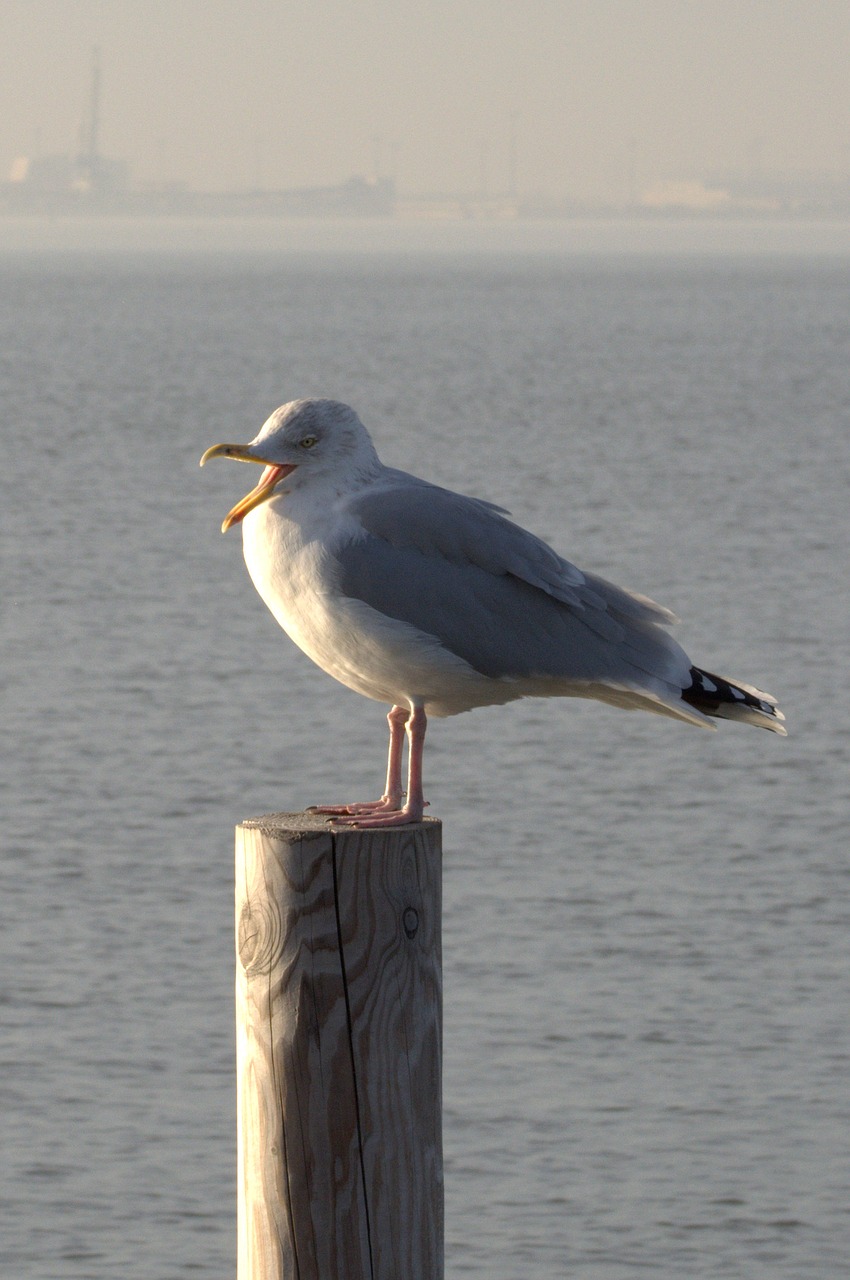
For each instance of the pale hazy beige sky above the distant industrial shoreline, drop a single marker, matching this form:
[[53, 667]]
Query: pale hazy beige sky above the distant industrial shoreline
[[294, 93]]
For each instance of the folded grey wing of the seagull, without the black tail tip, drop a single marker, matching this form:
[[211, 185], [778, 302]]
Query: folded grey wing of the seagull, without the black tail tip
[[497, 596]]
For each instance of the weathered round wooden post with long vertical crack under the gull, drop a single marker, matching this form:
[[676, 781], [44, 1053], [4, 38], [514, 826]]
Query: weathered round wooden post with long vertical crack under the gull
[[339, 1050]]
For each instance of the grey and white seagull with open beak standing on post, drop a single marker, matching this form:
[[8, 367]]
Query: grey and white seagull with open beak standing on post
[[437, 604]]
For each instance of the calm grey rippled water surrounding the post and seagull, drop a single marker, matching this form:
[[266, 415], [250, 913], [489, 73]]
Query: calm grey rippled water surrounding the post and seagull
[[647, 935]]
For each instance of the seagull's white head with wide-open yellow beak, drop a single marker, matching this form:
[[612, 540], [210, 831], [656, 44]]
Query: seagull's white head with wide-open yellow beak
[[301, 444]]
